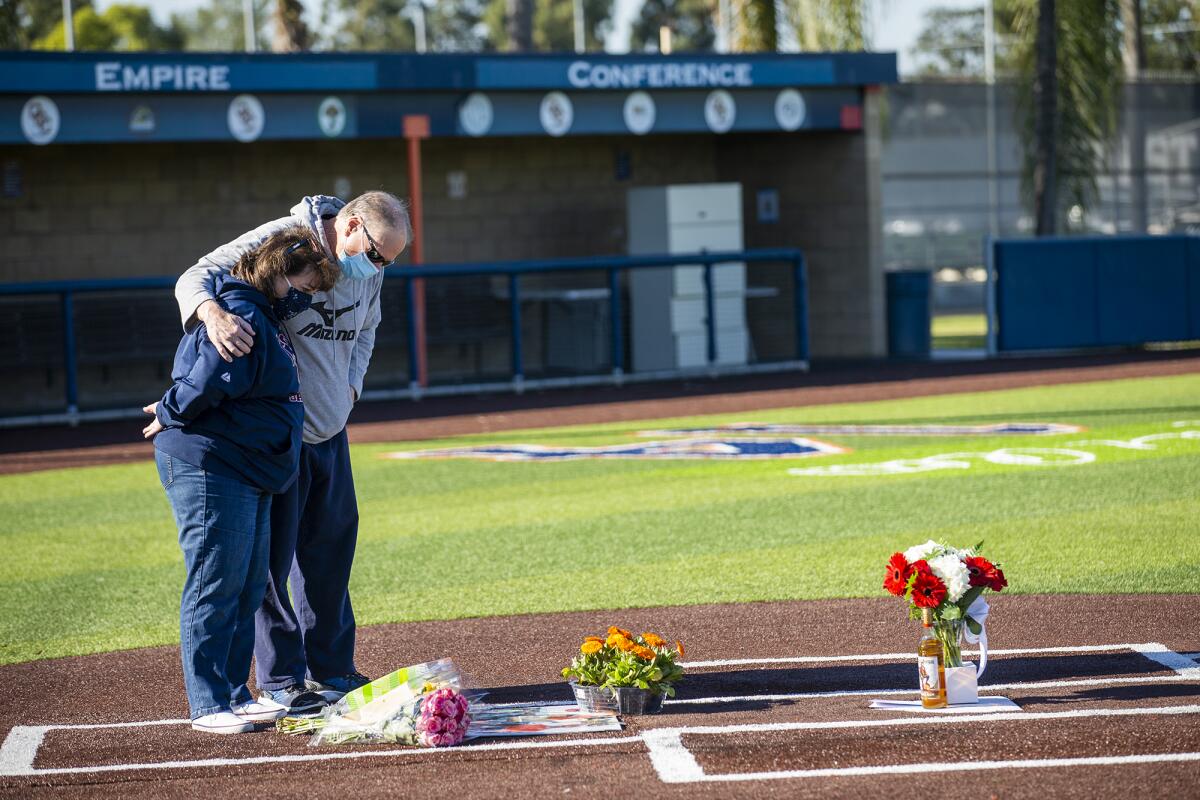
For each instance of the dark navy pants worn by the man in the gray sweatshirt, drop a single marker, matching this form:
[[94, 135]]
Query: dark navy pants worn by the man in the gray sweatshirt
[[309, 631]]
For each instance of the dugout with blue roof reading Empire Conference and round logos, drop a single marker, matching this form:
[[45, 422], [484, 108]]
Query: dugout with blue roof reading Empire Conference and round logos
[[121, 166]]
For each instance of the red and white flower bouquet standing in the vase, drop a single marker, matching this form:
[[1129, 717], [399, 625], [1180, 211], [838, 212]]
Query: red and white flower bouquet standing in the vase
[[951, 584]]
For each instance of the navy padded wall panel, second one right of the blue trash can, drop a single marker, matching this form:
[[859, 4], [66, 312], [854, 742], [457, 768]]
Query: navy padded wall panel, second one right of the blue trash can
[[1143, 291]]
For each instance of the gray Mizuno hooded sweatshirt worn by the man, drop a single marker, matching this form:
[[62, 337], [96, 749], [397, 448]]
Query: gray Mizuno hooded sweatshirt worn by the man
[[333, 340]]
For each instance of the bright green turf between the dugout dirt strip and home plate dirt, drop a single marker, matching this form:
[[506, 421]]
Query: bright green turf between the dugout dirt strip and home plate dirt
[[89, 561]]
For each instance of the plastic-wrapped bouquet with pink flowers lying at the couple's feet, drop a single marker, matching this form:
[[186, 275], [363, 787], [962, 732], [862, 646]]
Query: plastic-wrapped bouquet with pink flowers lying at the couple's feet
[[423, 705]]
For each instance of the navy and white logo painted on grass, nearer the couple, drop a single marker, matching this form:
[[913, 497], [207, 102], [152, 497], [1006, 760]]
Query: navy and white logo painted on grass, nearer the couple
[[687, 449]]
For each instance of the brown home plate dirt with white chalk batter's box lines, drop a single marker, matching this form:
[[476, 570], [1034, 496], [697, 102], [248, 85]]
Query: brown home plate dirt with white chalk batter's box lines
[[776, 701]]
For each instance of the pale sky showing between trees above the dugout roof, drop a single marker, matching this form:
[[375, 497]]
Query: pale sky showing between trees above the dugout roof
[[895, 25]]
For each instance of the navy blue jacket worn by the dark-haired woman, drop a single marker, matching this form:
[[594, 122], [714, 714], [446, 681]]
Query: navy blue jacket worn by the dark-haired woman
[[242, 420]]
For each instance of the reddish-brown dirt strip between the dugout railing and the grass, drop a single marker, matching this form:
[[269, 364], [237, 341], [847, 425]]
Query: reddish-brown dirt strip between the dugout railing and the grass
[[37, 449]]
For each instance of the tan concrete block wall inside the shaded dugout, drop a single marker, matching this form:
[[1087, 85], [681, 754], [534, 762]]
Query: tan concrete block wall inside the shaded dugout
[[154, 209]]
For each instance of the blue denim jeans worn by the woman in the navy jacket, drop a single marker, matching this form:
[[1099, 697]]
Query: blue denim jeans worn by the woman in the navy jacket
[[225, 534]]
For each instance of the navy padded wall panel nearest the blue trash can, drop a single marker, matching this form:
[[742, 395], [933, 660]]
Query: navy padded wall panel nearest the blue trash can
[[1046, 294]]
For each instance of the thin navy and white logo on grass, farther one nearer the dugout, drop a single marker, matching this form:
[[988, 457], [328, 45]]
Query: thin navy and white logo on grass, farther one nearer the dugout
[[997, 430]]
